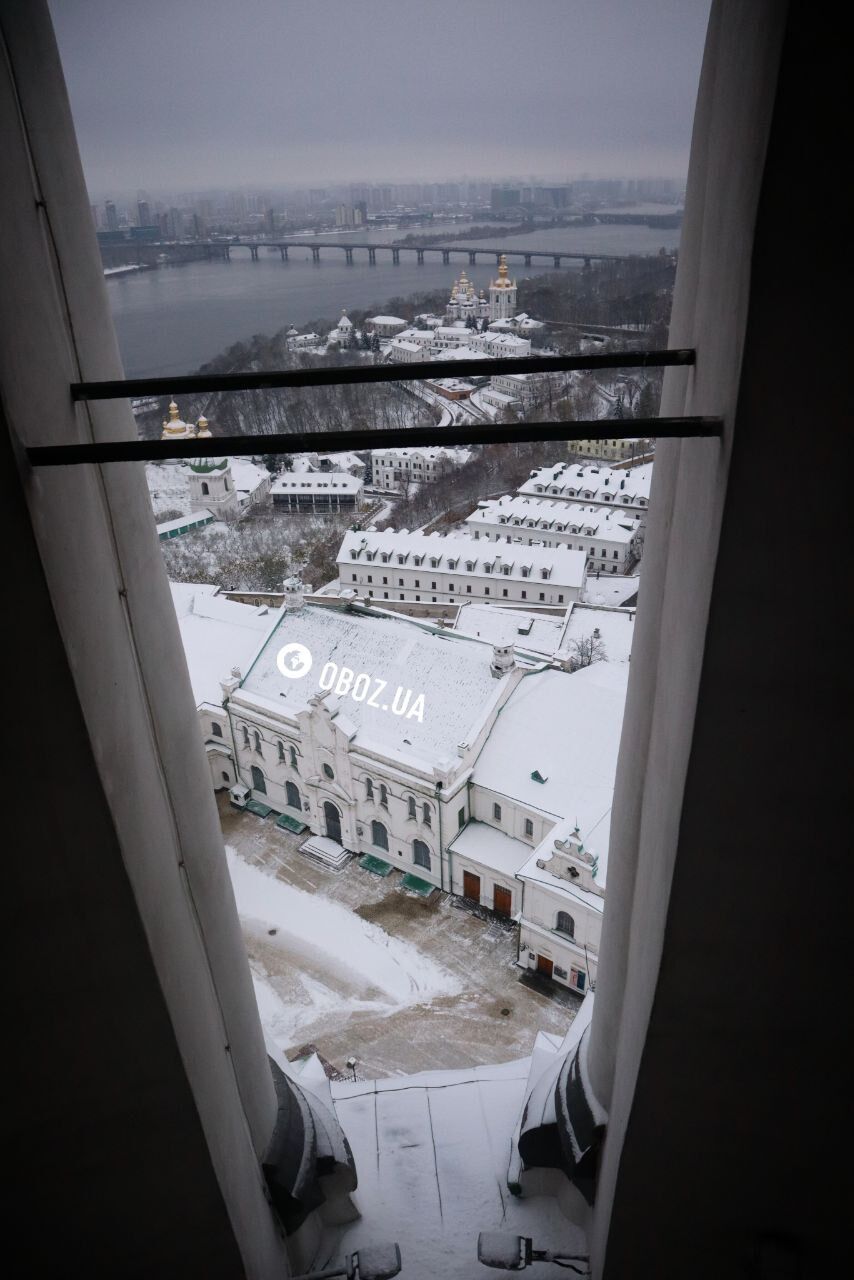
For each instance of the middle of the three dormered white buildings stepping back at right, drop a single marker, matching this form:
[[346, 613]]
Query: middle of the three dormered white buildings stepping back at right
[[610, 540]]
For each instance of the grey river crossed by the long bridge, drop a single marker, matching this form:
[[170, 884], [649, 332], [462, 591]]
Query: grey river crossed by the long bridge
[[173, 319]]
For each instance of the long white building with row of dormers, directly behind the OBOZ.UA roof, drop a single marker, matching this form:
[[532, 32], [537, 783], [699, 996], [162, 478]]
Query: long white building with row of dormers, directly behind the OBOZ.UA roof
[[441, 569]]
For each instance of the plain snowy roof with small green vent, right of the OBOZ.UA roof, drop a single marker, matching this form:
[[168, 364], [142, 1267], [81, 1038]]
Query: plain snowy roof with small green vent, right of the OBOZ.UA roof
[[567, 729]]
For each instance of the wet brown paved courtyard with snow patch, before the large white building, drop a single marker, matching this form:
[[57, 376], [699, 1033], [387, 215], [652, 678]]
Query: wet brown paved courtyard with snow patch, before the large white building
[[355, 966]]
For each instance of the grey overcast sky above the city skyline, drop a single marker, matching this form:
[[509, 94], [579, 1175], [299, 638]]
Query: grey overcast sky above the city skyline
[[193, 94]]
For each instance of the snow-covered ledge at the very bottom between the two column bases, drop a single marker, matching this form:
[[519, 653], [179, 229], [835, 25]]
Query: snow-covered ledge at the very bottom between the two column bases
[[442, 1172]]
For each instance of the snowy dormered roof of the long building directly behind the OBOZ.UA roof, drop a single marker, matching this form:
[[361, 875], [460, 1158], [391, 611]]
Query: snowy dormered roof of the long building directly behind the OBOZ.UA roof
[[563, 565]]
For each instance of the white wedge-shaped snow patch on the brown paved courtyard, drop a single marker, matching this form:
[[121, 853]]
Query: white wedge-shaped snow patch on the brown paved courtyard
[[348, 964]]
